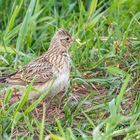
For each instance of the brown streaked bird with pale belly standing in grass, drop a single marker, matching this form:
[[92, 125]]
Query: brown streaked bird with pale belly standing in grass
[[54, 64]]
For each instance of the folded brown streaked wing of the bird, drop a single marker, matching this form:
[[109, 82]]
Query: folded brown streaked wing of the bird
[[36, 72]]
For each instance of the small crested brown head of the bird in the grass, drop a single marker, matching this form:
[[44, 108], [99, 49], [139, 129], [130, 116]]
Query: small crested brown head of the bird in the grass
[[62, 39]]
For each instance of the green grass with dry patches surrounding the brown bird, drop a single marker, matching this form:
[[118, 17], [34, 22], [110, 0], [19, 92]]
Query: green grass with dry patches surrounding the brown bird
[[102, 101]]
